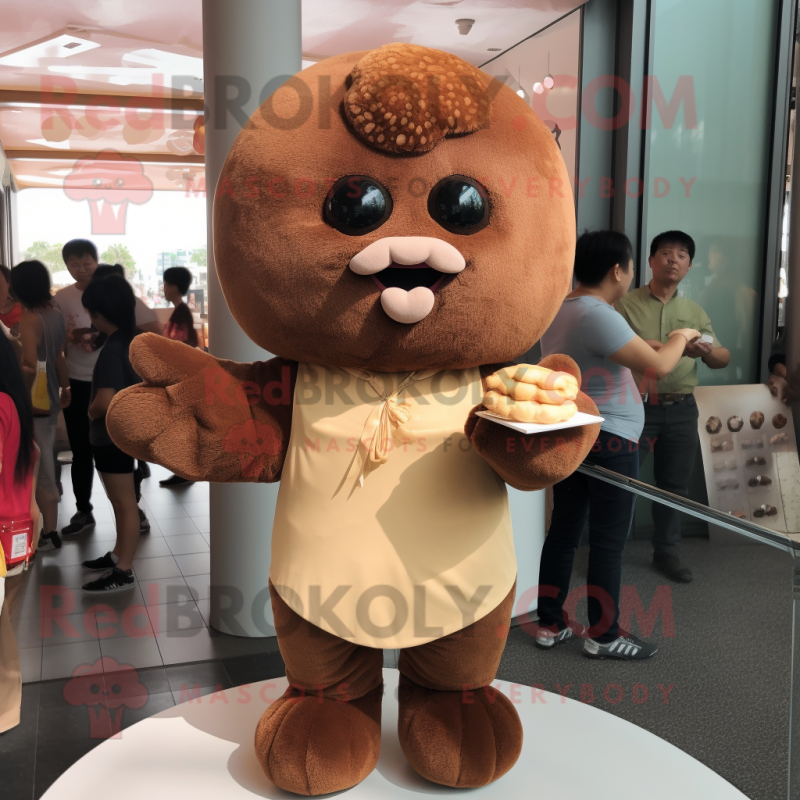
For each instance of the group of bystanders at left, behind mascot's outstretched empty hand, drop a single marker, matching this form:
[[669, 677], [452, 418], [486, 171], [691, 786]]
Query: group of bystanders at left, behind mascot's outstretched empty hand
[[71, 349]]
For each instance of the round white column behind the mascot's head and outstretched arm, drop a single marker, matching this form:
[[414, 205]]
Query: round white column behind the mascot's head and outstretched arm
[[246, 43]]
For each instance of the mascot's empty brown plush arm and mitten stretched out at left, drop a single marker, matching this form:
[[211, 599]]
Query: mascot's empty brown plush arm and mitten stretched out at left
[[193, 415]]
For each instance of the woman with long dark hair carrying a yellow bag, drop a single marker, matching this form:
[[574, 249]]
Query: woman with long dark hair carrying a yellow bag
[[43, 334]]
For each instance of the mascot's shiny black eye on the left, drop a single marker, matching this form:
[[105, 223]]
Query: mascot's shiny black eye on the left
[[357, 204]]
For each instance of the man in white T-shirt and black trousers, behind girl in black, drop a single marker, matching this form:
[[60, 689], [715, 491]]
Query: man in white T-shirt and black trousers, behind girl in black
[[83, 345]]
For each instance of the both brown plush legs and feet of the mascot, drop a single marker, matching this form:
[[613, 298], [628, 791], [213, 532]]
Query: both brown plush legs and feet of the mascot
[[324, 734]]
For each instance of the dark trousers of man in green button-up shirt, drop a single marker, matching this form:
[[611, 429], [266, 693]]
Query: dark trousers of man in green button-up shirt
[[670, 433]]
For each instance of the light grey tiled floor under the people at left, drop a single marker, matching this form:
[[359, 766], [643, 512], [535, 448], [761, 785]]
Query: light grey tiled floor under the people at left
[[163, 620]]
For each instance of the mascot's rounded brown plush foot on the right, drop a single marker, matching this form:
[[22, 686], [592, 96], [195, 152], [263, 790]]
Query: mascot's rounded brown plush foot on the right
[[459, 739]]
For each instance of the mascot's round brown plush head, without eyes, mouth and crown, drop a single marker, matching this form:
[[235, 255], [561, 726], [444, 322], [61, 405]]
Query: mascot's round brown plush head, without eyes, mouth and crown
[[284, 271]]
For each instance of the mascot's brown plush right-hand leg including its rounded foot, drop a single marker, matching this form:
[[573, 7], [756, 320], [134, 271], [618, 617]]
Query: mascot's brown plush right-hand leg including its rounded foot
[[455, 728]]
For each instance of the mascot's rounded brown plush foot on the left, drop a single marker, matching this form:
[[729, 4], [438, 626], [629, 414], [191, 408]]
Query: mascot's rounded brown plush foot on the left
[[313, 745]]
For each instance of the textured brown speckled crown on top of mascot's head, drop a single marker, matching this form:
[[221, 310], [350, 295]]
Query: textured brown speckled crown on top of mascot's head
[[405, 98]]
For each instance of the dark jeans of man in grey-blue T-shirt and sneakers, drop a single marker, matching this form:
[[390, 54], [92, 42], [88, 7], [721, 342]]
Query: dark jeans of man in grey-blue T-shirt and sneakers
[[610, 512]]
